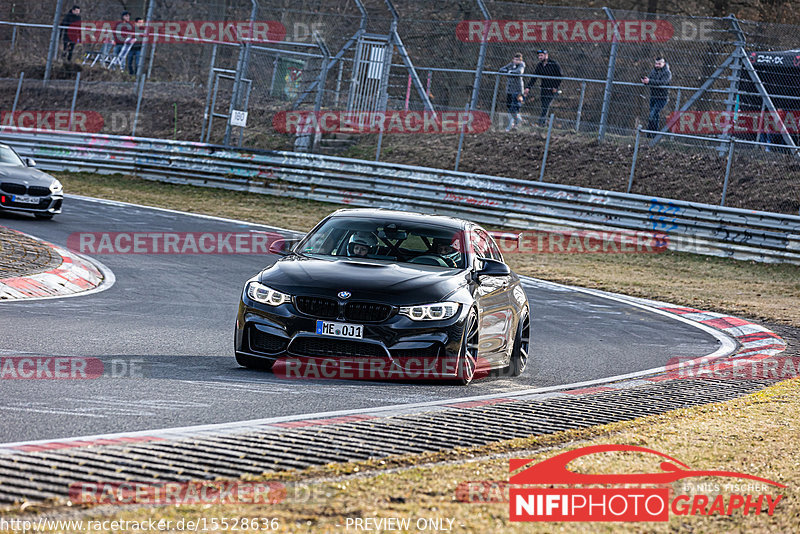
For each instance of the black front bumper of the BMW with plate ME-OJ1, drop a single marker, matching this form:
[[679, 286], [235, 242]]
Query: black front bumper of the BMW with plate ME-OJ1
[[282, 333]]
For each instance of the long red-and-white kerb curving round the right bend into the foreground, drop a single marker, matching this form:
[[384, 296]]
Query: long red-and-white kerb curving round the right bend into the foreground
[[755, 342]]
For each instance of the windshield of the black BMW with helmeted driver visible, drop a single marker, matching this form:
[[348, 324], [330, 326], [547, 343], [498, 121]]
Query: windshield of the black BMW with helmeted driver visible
[[388, 240]]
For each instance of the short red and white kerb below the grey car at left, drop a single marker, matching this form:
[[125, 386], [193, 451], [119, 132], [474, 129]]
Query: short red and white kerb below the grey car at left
[[75, 275]]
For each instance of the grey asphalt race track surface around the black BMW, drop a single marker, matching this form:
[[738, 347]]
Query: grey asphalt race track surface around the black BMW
[[170, 318]]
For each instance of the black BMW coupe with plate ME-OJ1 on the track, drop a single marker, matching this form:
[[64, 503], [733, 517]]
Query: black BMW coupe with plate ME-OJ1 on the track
[[382, 294]]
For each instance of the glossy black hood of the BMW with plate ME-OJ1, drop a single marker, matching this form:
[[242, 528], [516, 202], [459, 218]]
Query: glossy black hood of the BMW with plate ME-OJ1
[[397, 284]]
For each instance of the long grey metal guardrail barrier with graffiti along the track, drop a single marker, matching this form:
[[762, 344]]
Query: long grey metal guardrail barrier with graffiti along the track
[[492, 200]]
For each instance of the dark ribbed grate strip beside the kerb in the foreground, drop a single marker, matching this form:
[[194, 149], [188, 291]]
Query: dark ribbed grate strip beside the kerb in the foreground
[[38, 476]]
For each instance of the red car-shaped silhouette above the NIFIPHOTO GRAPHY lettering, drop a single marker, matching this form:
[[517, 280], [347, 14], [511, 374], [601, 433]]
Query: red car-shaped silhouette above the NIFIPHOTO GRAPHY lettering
[[554, 470]]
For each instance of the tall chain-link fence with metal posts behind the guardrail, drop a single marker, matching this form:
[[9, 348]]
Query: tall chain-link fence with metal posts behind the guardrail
[[718, 139]]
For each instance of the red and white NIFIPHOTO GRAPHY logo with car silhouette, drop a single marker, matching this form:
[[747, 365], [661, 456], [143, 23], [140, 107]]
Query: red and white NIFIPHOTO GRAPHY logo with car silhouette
[[627, 497]]
